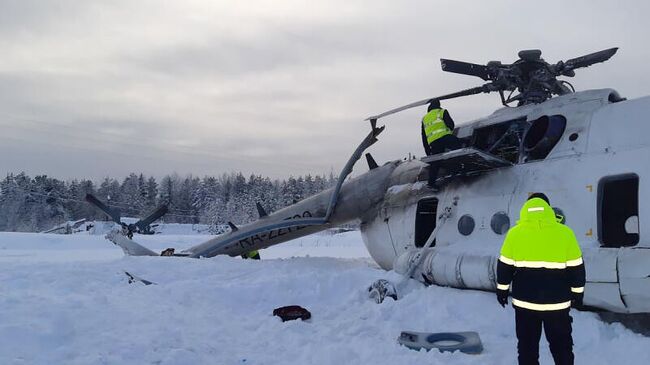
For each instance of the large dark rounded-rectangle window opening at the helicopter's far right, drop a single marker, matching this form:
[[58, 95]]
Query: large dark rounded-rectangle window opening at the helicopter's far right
[[618, 210]]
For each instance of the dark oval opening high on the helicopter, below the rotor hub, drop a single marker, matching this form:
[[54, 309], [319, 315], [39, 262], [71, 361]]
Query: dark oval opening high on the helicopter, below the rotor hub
[[543, 134]]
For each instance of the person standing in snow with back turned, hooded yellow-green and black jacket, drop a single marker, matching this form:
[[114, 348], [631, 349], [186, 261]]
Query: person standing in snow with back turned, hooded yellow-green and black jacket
[[542, 260]]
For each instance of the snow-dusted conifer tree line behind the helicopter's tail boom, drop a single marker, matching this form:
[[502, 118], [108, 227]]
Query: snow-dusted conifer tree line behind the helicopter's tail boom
[[35, 204]]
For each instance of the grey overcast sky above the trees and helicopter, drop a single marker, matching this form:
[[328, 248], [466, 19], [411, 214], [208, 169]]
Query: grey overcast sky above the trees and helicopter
[[97, 88]]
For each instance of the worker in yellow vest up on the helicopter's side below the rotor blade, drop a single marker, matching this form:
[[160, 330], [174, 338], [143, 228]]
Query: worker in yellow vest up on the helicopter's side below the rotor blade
[[437, 137]]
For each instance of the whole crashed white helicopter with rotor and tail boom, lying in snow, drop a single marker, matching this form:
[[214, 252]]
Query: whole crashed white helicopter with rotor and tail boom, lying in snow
[[586, 150]]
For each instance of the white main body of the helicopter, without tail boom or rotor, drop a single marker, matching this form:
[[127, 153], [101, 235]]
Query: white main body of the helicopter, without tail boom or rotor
[[593, 173]]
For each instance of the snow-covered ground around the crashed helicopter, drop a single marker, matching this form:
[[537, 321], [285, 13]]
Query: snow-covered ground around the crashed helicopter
[[66, 300]]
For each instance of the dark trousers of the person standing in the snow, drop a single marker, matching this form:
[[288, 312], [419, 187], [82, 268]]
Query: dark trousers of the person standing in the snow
[[557, 328]]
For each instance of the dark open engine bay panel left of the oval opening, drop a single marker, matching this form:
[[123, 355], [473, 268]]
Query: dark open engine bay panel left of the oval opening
[[502, 140]]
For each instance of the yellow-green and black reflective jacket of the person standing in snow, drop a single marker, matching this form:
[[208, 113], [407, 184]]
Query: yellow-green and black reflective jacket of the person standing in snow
[[542, 260]]
